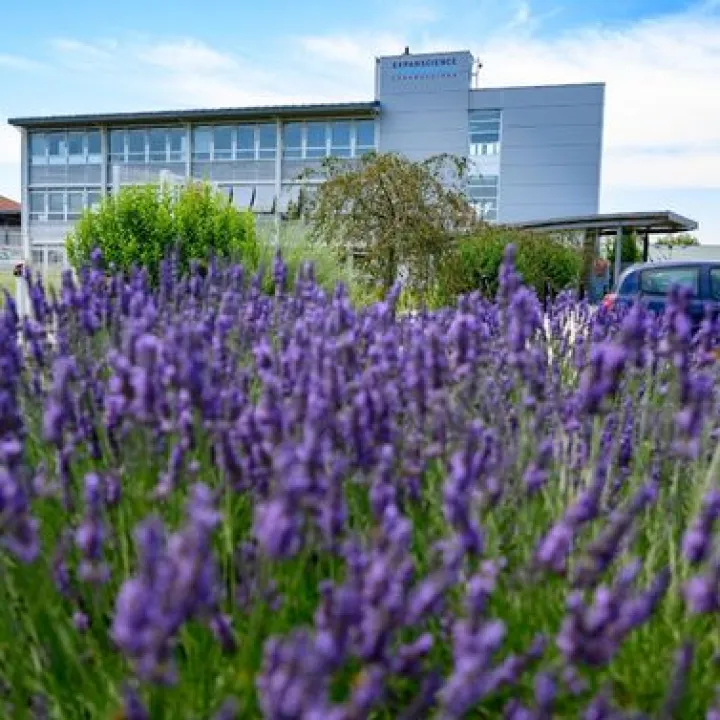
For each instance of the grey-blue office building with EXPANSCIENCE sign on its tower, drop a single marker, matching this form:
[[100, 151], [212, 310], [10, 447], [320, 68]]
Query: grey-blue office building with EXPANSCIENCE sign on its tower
[[533, 152]]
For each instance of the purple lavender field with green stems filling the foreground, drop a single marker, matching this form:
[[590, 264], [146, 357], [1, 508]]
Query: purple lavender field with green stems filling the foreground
[[220, 503]]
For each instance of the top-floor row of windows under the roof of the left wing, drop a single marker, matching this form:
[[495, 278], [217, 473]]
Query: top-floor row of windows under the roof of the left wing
[[342, 138]]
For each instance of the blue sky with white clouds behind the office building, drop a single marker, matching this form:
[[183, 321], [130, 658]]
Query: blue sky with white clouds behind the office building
[[660, 60]]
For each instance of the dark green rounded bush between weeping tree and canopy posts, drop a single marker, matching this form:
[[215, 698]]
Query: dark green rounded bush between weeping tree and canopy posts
[[475, 260]]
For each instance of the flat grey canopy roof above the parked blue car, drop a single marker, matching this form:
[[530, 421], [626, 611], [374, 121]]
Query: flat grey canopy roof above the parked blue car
[[664, 222]]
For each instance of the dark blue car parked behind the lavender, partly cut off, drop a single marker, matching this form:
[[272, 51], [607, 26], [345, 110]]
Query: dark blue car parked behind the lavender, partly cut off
[[650, 283]]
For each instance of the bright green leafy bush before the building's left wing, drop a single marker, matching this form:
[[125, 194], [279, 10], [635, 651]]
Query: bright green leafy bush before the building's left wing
[[142, 223]]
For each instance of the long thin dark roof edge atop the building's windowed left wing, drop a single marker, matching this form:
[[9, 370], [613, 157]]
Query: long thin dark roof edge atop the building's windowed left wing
[[268, 112]]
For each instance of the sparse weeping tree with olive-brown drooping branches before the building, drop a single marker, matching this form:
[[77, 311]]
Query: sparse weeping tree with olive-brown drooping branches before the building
[[393, 213]]
